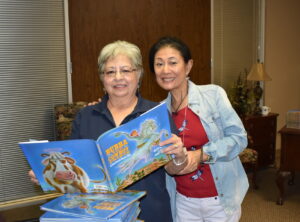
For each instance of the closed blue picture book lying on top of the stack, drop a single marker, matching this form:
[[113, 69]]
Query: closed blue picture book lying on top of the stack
[[92, 205]]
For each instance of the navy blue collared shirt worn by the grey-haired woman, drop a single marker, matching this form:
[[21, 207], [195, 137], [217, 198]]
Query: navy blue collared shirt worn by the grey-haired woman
[[92, 121]]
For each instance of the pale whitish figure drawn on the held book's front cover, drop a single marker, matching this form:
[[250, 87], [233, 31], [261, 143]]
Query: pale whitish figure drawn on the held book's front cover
[[146, 138]]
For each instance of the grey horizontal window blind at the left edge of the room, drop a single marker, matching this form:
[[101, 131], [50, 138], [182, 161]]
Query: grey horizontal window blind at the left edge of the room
[[33, 79]]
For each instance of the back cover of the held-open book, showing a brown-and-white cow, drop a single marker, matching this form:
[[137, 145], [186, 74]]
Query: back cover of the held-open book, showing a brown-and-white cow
[[67, 166]]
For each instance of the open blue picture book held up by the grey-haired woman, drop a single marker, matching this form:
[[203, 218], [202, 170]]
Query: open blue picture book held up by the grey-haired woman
[[117, 159]]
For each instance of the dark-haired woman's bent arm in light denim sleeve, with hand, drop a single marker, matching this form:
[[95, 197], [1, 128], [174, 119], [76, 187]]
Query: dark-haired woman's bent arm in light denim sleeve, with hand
[[232, 137]]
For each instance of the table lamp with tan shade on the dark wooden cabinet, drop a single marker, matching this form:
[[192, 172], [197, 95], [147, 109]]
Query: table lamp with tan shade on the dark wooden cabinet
[[258, 74]]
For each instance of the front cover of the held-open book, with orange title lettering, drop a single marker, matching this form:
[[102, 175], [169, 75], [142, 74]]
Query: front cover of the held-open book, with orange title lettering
[[131, 151]]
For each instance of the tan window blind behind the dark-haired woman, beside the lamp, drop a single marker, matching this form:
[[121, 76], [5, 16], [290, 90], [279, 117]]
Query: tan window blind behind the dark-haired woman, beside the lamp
[[234, 39]]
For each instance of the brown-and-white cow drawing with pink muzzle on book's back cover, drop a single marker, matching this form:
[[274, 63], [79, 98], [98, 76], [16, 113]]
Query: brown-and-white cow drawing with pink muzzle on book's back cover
[[64, 175]]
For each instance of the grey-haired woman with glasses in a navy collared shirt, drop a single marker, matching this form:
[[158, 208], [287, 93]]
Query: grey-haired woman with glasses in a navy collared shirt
[[120, 69]]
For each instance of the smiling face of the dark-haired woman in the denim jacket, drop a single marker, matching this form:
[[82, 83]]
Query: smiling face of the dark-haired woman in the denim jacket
[[170, 69]]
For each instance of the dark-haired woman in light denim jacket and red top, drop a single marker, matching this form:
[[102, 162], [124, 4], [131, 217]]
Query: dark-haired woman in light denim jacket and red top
[[213, 184]]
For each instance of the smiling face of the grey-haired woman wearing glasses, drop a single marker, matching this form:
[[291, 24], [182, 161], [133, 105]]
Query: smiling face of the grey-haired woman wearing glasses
[[120, 78]]
